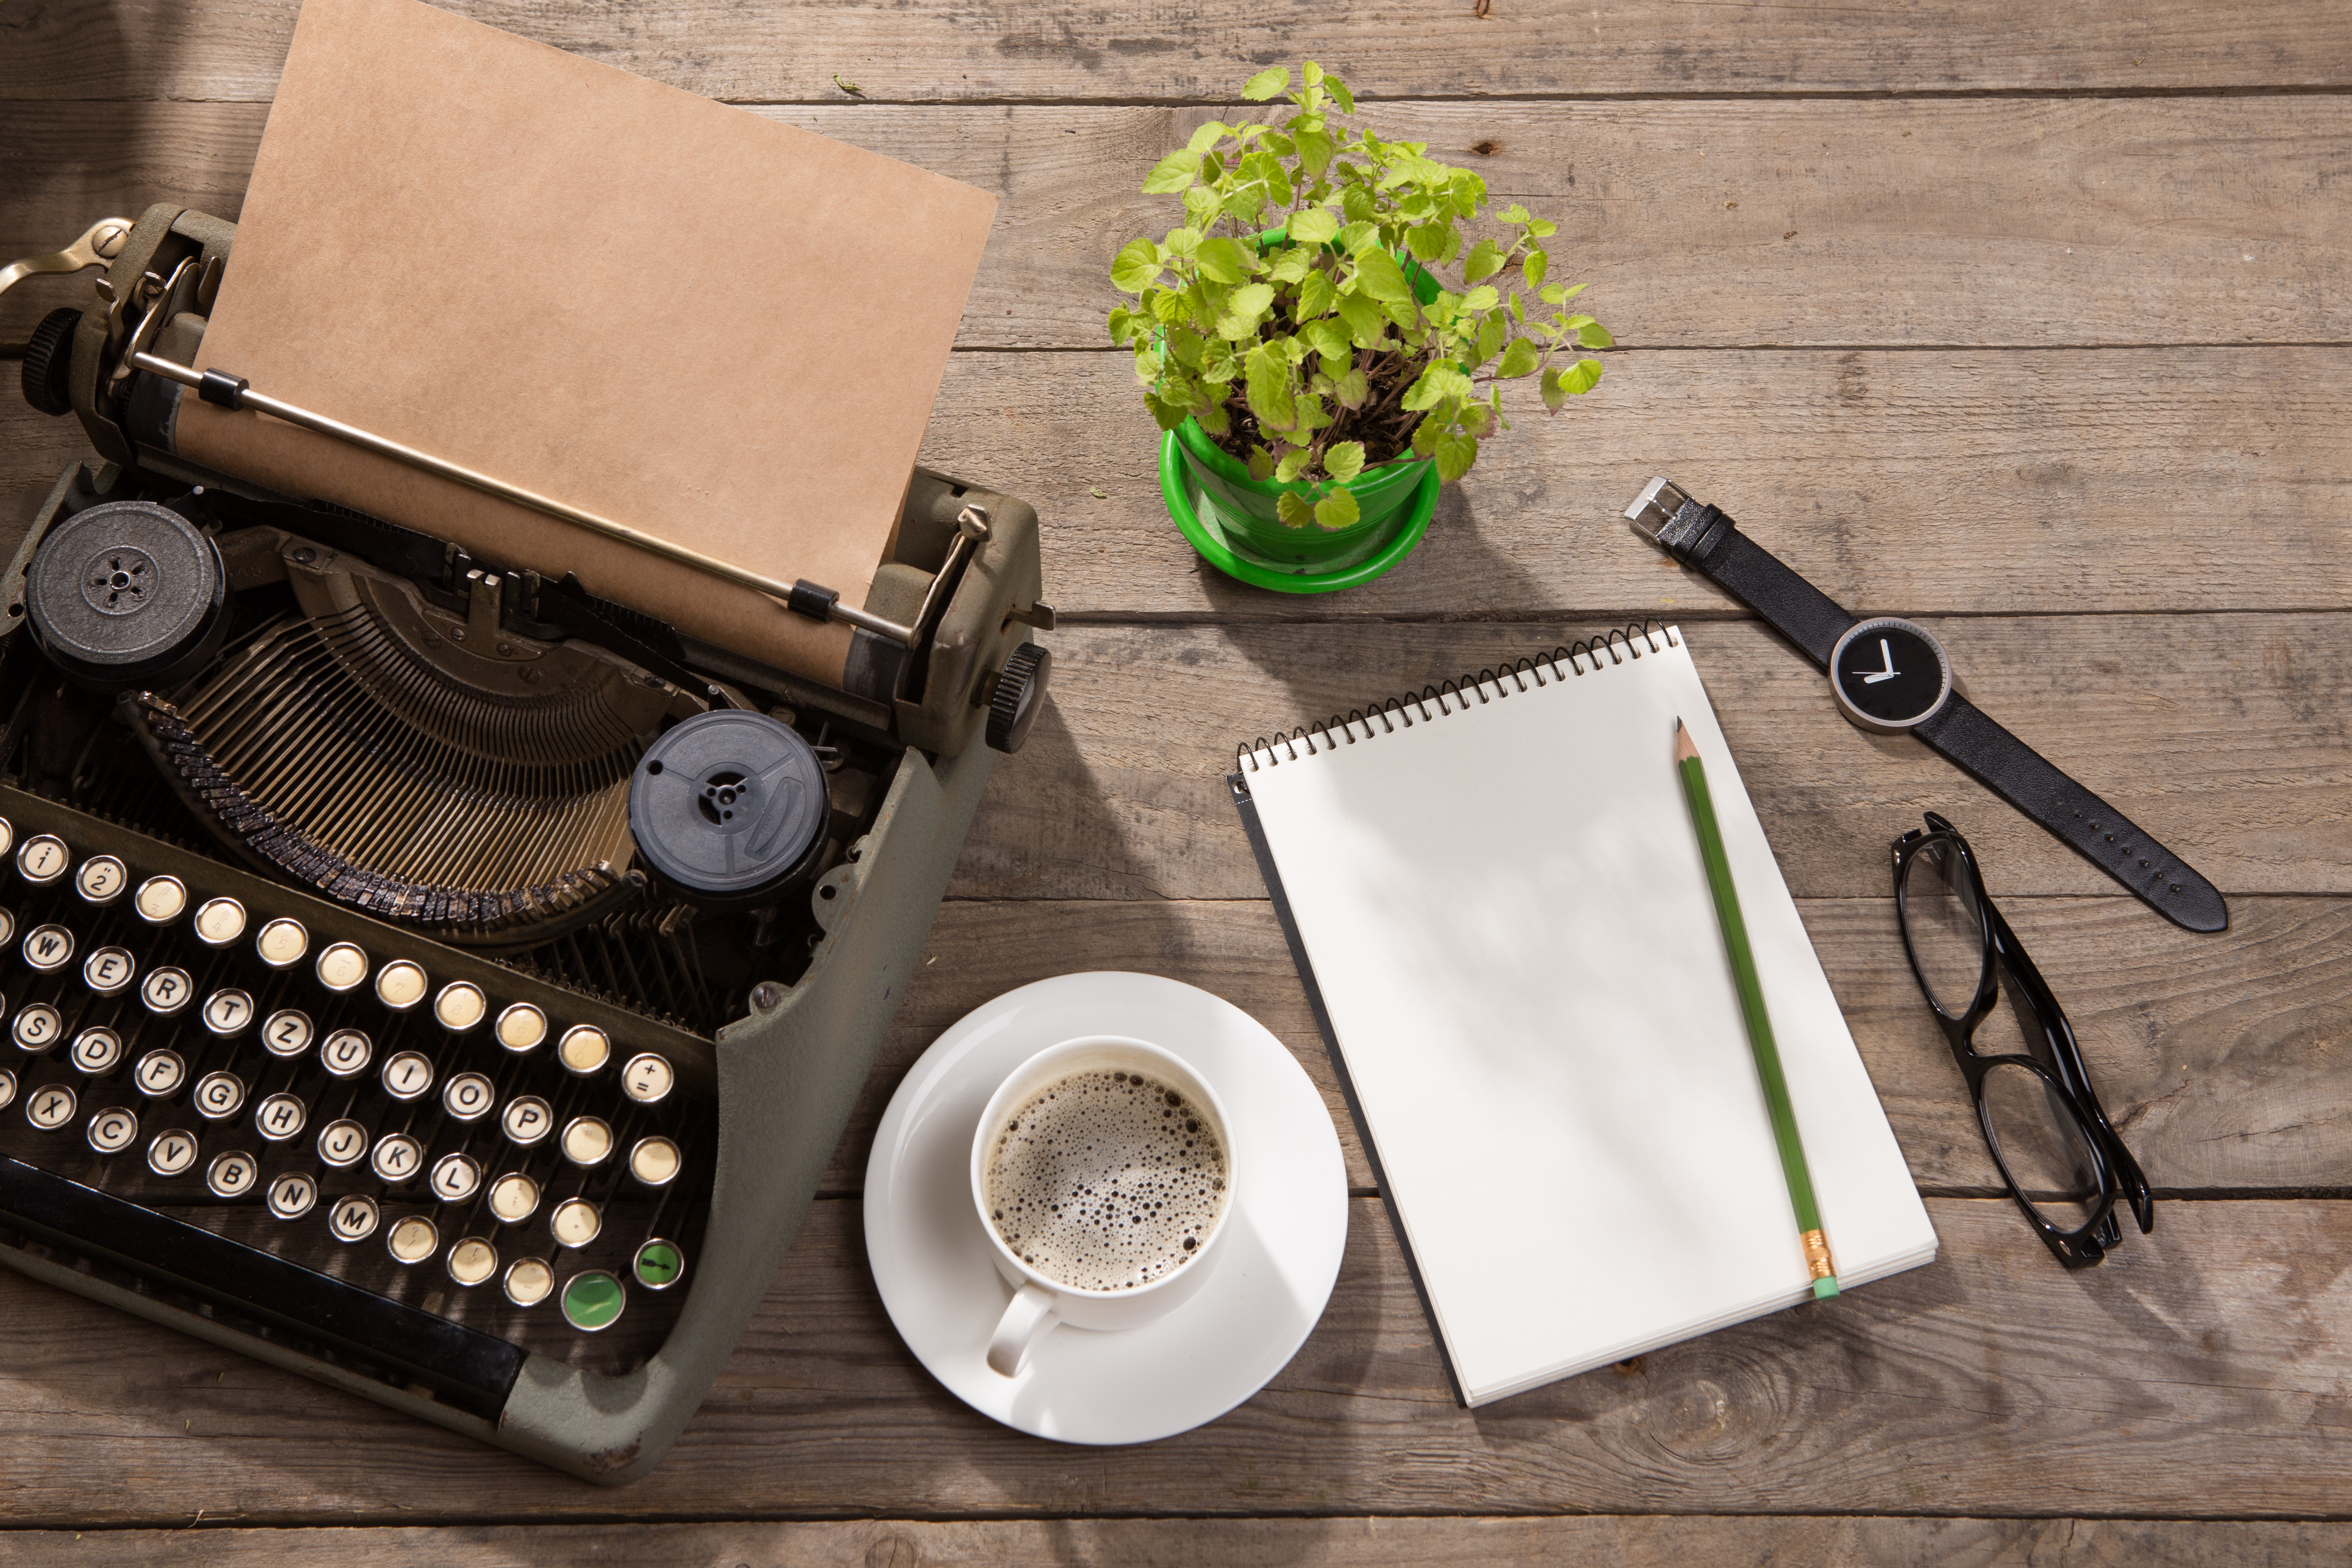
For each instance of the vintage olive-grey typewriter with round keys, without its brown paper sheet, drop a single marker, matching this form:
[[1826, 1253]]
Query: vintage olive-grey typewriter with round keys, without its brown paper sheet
[[420, 972]]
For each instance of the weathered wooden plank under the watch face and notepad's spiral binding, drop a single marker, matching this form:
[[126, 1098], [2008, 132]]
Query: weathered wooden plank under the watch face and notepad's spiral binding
[[2219, 735]]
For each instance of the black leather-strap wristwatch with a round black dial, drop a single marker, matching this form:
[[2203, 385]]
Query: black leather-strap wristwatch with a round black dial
[[1892, 676]]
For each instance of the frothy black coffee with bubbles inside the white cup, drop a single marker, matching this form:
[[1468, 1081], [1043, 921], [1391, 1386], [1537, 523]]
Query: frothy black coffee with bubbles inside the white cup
[[1107, 1181]]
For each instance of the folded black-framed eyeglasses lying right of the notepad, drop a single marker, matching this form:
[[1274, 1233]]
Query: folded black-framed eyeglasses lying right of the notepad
[[2062, 1158]]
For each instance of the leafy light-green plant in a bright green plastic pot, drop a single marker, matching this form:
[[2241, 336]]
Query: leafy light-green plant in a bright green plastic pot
[[1323, 344]]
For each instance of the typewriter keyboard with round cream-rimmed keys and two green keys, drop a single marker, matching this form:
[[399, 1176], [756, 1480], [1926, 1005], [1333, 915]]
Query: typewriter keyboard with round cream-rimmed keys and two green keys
[[375, 1146]]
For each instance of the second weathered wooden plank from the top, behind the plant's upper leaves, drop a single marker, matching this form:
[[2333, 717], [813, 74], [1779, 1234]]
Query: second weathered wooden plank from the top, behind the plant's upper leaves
[[1989, 222]]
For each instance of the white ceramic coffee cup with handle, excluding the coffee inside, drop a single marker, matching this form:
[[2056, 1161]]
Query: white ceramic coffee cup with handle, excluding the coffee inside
[[1043, 1301]]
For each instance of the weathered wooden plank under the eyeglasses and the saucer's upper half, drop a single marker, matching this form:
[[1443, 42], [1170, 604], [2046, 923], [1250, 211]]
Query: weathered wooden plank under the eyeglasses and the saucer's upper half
[[2224, 1059]]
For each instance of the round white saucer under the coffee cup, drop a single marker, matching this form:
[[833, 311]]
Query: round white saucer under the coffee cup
[[1274, 1273]]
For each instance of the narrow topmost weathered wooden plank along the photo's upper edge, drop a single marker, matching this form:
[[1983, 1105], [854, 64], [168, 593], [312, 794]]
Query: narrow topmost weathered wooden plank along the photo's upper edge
[[1205, 48]]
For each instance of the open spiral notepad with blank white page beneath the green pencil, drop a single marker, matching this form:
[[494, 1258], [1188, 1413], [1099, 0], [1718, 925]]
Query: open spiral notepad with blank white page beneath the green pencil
[[1499, 911]]
